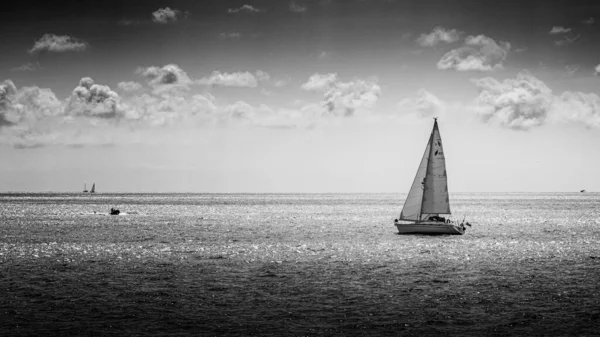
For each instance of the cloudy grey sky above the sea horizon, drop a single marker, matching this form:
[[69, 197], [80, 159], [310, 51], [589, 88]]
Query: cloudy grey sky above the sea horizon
[[281, 96]]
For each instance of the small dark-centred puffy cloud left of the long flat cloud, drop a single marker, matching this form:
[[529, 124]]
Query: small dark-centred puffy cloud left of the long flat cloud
[[165, 78]]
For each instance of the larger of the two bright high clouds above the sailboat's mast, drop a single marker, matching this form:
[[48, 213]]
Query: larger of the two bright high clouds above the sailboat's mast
[[480, 53]]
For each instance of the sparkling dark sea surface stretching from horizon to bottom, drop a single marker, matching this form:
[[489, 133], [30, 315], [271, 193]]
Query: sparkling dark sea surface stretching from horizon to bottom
[[297, 265]]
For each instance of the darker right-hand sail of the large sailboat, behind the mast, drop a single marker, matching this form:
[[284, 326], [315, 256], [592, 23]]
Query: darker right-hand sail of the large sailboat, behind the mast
[[435, 193]]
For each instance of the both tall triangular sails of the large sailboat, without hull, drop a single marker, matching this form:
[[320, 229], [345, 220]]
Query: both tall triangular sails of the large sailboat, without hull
[[429, 192]]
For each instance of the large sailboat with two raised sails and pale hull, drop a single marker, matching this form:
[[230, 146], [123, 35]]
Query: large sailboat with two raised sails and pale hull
[[428, 198]]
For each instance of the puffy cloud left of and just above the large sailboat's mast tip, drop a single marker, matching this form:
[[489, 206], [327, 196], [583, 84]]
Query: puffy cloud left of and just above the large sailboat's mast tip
[[344, 98]]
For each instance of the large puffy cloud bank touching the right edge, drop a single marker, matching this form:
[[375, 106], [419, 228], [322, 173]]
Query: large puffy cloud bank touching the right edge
[[526, 102]]
